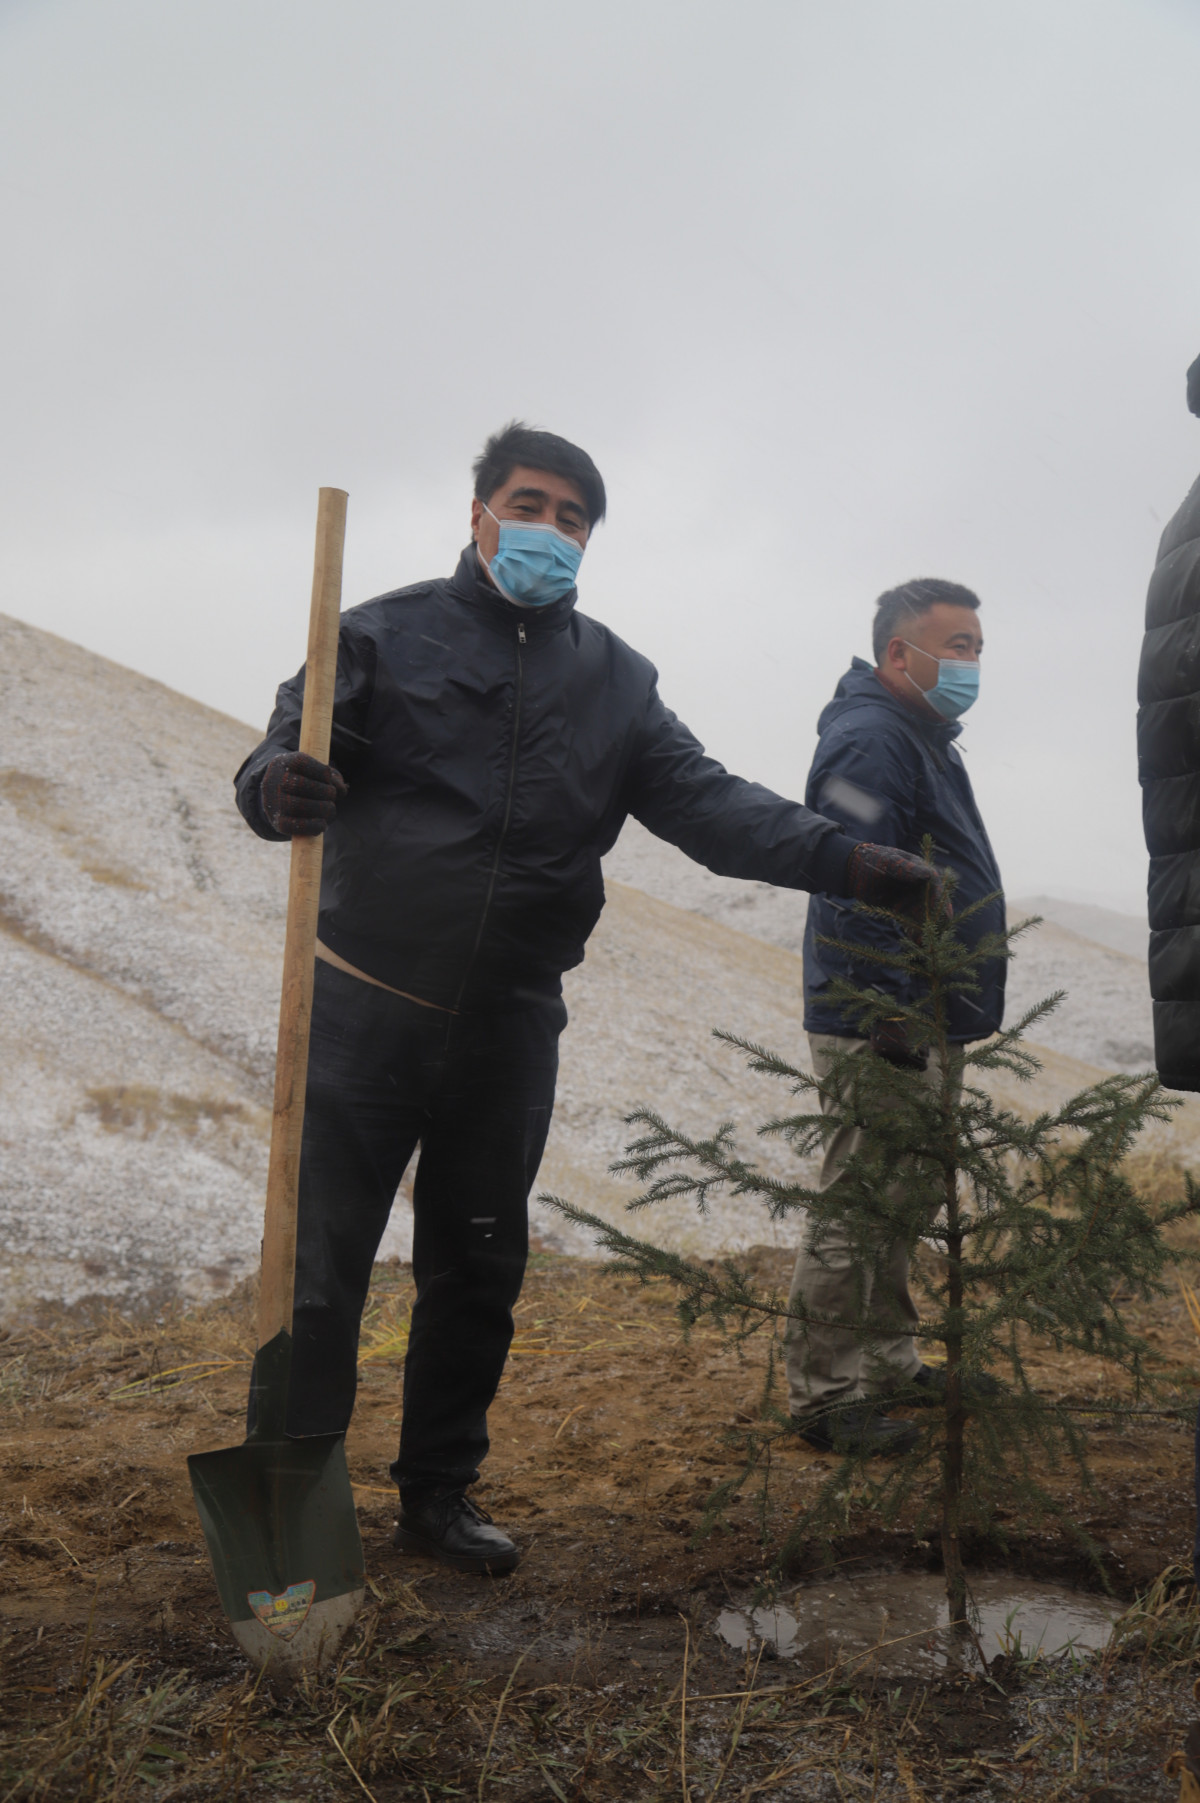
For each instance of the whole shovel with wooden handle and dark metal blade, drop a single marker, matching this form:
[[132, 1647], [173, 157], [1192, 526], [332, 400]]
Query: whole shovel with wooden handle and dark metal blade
[[280, 1515]]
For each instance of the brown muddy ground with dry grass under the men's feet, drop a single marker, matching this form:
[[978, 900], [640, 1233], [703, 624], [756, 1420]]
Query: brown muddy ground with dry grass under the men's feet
[[590, 1674]]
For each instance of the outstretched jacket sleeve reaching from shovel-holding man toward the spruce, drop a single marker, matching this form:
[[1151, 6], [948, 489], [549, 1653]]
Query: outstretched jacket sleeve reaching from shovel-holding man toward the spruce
[[732, 827]]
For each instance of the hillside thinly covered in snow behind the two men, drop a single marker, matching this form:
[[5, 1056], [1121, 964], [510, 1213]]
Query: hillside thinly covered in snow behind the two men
[[141, 931]]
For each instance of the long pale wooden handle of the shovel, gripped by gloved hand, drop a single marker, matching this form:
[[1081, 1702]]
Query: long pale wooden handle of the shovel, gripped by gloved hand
[[275, 1308]]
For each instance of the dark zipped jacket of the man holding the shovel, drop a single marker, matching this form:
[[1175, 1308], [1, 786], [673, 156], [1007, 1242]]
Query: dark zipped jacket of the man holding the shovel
[[493, 756]]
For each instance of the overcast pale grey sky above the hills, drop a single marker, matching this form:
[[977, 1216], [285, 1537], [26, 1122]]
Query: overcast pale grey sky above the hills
[[835, 295]]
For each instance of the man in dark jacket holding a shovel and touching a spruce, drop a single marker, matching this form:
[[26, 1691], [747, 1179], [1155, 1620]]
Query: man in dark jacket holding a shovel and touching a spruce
[[489, 742]]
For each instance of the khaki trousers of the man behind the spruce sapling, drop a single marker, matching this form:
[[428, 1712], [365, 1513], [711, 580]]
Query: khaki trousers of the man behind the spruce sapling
[[832, 1366]]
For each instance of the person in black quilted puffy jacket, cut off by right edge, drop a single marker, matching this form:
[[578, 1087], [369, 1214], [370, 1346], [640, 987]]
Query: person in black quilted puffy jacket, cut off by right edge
[[1168, 762]]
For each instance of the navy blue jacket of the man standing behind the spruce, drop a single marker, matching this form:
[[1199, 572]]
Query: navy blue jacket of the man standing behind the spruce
[[893, 776]]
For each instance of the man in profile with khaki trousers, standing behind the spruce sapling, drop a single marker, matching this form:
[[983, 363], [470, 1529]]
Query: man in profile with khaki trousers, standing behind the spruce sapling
[[887, 765]]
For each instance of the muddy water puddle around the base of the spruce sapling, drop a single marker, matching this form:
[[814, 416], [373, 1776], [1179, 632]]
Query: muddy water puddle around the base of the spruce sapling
[[898, 1622]]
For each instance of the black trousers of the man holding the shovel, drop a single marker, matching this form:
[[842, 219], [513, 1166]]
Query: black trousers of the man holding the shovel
[[478, 1094]]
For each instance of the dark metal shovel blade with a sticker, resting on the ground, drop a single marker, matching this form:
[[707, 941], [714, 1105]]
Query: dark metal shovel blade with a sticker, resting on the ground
[[284, 1537]]
